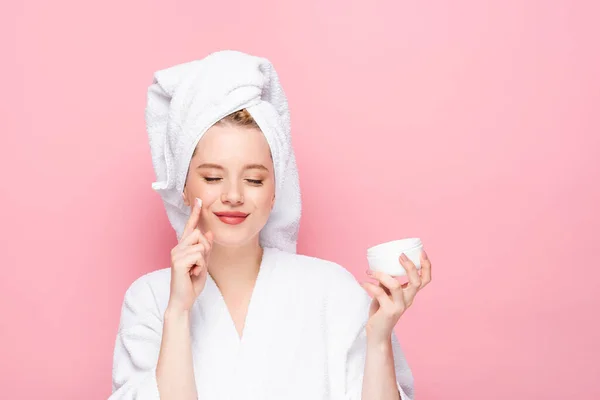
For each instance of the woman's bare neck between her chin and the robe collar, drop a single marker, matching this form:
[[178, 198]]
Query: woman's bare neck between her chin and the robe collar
[[235, 267]]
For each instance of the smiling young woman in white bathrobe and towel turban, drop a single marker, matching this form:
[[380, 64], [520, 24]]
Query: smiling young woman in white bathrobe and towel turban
[[239, 314]]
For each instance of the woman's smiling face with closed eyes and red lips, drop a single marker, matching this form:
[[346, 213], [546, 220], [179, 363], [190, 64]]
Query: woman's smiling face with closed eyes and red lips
[[232, 173]]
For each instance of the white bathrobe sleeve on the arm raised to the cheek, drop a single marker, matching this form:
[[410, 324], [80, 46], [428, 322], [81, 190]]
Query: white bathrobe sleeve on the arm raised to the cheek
[[137, 345]]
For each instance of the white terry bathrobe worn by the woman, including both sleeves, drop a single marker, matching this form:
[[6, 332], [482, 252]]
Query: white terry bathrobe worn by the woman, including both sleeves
[[304, 336]]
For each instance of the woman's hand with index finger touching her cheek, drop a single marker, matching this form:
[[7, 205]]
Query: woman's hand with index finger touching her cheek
[[189, 263]]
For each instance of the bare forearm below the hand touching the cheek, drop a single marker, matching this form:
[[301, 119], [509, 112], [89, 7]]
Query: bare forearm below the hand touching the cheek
[[175, 370]]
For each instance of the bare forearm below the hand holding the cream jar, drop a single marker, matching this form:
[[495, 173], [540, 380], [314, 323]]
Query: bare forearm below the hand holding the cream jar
[[379, 382]]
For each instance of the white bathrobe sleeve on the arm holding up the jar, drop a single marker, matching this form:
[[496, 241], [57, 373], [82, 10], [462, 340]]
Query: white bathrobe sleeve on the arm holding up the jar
[[348, 312]]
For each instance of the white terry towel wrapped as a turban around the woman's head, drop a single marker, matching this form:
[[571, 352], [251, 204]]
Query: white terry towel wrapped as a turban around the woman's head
[[185, 100]]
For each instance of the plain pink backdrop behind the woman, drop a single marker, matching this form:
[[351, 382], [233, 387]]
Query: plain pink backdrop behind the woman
[[471, 124]]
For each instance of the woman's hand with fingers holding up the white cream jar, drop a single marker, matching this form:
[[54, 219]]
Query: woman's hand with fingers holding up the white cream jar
[[391, 299]]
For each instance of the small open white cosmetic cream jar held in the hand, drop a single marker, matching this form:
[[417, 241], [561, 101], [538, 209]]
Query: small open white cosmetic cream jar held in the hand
[[385, 257]]
